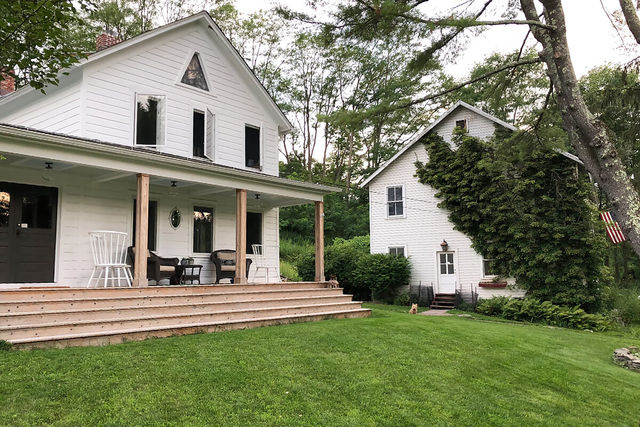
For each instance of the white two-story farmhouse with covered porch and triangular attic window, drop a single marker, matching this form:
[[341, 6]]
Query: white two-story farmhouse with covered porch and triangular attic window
[[174, 116]]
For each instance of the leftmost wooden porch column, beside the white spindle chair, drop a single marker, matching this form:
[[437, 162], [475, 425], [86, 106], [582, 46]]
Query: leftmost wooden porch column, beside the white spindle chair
[[142, 231]]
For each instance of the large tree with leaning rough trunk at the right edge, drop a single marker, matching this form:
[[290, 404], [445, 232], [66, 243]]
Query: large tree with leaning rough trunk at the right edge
[[591, 139]]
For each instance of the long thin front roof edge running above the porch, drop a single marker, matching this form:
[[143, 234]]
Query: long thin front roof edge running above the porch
[[97, 146]]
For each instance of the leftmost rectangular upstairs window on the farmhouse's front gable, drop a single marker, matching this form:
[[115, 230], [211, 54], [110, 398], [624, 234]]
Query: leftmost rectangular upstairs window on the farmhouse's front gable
[[150, 119]]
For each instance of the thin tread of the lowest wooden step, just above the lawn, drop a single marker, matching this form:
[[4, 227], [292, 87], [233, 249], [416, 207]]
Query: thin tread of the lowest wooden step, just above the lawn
[[179, 326]]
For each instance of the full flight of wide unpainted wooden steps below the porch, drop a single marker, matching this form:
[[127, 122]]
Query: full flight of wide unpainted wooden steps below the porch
[[62, 317]]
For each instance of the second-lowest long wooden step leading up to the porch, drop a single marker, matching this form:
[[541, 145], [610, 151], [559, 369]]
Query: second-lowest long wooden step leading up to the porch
[[10, 333]]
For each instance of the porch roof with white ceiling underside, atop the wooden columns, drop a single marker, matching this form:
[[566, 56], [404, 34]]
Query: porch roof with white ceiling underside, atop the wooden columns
[[99, 162]]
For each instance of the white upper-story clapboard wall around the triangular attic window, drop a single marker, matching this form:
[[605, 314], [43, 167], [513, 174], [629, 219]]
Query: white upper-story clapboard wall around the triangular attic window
[[154, 67]]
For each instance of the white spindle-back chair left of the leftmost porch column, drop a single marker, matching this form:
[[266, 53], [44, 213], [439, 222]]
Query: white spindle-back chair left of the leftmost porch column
[[109, 250]]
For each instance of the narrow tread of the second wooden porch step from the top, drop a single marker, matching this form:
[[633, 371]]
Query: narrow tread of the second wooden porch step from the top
[[145, 307]]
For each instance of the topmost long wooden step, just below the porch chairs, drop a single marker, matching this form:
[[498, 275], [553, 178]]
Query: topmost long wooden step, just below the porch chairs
[[125, 300]]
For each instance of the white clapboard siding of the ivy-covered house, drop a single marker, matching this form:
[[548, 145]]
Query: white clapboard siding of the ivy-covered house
[[425, 225]]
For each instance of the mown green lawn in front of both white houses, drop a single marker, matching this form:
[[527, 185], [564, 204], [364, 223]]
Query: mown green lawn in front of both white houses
[[392, 369]]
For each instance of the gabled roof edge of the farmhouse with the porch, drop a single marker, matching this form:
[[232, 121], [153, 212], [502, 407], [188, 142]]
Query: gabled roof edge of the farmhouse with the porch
[[200, 16]]
